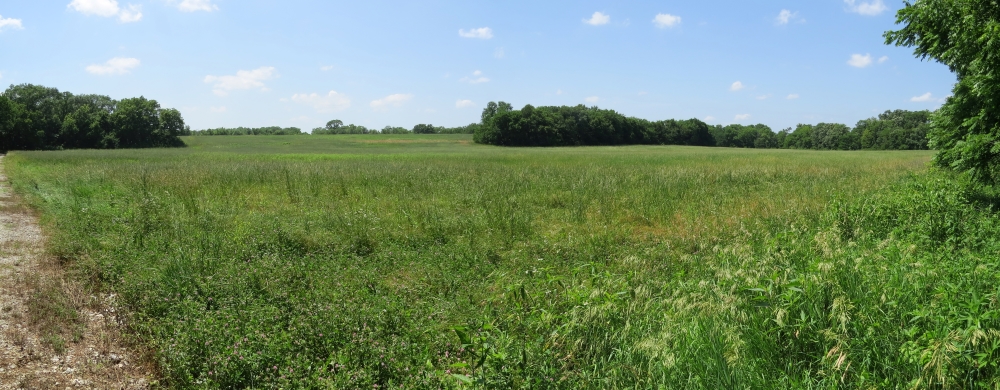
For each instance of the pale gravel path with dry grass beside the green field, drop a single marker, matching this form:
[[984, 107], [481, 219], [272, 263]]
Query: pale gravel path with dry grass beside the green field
[[28, 360]]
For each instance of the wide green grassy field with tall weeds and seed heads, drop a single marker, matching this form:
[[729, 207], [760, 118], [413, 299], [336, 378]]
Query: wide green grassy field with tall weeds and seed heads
[[431, 262]]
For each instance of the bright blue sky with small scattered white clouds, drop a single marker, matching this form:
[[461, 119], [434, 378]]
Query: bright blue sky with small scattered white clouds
[[377, 63]]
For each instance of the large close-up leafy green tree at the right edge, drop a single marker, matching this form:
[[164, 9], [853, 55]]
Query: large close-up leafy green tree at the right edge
[[963, 35]]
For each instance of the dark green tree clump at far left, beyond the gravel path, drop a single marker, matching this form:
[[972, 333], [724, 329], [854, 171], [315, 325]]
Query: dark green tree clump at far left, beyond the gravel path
[[34, 117]]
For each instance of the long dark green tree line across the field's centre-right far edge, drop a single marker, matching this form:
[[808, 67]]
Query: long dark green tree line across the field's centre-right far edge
[[580, 125]]
